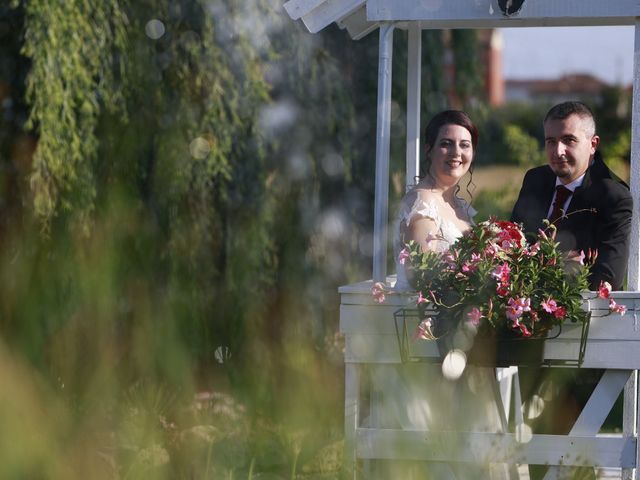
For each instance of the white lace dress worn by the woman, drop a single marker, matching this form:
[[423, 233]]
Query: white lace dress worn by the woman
[[416, 396]]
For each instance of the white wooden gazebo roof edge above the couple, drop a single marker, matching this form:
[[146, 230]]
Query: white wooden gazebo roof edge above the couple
[[361, 17]]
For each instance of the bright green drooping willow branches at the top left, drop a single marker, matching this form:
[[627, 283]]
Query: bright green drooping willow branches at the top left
[[73, 75]]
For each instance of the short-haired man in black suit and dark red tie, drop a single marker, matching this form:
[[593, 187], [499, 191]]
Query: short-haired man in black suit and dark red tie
[[597, 204]]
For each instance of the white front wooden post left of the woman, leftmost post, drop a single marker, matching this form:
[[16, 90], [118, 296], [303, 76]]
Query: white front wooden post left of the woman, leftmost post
[[381, 208]]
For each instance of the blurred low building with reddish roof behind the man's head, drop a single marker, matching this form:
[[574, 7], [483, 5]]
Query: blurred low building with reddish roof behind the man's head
[[583, 87]]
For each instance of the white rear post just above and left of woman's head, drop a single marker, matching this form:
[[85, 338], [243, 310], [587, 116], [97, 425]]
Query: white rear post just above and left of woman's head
[[414, 67]]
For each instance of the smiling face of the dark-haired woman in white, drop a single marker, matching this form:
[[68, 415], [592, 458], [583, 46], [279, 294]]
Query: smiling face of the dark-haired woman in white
[[451, 154]]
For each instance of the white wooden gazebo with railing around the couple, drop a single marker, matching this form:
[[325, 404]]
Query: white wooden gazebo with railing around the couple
[[614, 341]]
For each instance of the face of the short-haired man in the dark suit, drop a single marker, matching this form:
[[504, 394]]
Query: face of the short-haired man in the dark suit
[[570, 144]]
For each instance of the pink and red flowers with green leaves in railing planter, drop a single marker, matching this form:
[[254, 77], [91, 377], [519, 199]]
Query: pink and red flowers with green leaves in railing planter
[[497, 281]]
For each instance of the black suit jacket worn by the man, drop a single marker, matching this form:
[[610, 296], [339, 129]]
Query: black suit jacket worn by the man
[[602, 218]]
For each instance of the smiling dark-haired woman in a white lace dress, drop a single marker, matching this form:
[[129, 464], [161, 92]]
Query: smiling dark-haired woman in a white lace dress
[[416, 396]]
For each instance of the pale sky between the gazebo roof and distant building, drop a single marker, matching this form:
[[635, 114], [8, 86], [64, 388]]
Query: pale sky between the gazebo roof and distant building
[[548, 52]]
